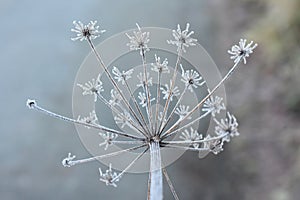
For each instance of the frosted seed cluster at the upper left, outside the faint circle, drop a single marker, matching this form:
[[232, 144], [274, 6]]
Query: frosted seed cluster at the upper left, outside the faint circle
[[84, 32]]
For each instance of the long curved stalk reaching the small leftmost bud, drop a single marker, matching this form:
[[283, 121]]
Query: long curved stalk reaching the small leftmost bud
[[96, 126]]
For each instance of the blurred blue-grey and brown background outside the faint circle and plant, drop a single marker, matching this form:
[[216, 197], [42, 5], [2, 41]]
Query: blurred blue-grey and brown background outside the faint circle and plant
[[38, 60]]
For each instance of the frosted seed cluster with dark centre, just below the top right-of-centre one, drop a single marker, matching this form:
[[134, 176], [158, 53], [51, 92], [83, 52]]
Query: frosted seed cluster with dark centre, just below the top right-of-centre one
[[191, 79]]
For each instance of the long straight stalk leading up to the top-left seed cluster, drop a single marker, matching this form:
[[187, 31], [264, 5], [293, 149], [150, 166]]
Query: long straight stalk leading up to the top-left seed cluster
[[113, 82]]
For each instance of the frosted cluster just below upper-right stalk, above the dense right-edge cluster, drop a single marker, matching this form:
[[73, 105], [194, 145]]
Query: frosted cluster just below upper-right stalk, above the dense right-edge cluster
[[213, 105]]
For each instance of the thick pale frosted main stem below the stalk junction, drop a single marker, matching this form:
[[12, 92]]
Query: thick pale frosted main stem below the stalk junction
[[156, 186]]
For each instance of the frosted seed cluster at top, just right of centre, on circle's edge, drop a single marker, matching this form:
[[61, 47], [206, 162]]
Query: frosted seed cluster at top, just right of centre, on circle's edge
[[183, 38]]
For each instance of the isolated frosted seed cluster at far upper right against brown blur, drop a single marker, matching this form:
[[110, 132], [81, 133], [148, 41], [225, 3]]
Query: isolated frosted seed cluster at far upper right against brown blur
[[241, 51]]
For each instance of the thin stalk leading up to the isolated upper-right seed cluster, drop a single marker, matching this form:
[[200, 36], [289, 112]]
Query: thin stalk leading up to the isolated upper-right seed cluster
[[205, 98]]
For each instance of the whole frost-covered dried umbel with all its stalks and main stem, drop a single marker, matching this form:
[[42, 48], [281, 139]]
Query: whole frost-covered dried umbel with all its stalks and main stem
[[154, 123]]
